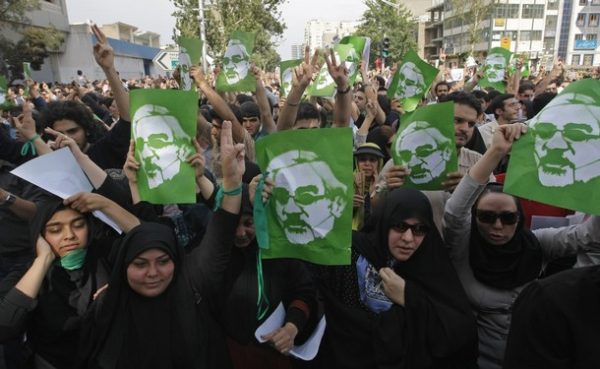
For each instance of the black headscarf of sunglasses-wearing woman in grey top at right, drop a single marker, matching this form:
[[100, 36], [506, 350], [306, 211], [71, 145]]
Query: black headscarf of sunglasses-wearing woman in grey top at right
[[510, 265]]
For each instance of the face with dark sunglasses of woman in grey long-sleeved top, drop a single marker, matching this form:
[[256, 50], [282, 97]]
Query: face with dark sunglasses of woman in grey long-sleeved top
[[498, 206]]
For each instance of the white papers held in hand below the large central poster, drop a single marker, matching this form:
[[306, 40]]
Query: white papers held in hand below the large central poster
[[308, 350]]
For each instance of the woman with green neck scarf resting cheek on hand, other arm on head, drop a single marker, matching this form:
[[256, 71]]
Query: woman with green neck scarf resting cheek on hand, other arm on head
[[50, 299]]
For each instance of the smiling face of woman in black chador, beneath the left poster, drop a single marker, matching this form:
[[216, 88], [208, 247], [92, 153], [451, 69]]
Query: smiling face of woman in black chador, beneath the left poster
[[150, 273]]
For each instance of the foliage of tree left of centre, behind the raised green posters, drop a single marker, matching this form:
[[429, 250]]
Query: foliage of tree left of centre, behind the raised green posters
[[222, 17]]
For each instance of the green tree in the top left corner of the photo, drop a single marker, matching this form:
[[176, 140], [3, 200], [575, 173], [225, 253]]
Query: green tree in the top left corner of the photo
[[35, 43]]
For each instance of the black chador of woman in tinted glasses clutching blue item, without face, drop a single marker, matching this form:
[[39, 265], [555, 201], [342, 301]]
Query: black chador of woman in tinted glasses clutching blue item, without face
[[436, 327]]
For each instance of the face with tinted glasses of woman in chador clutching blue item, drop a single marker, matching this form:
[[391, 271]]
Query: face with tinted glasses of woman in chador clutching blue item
[[405, 238]]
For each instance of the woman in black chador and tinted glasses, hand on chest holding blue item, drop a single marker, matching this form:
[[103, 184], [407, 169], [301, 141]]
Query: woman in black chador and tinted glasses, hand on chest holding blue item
[[399, 304]]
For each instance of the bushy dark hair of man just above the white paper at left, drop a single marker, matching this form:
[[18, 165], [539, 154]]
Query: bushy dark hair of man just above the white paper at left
[[75, 111]]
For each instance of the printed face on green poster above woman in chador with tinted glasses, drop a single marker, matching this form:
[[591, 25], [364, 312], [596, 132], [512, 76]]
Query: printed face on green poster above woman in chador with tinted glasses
[[424, 150]]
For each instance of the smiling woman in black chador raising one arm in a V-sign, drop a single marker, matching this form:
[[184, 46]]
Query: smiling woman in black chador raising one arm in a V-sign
[[157, 311]]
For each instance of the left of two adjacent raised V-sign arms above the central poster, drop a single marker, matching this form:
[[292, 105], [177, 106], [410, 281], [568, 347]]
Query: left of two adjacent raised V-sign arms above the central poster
[[301, 78]]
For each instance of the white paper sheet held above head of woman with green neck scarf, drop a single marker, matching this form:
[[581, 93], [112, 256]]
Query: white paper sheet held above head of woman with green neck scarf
[[59, 174]]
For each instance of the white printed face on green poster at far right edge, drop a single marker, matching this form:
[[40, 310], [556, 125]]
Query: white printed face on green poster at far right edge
[[567, 141]]
